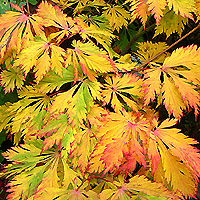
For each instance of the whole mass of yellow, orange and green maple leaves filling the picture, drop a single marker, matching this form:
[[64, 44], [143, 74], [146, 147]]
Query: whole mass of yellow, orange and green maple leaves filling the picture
[[87, 115]]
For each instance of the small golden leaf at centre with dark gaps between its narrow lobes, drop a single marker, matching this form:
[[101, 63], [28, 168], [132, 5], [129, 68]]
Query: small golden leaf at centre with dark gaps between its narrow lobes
[[117, 88]]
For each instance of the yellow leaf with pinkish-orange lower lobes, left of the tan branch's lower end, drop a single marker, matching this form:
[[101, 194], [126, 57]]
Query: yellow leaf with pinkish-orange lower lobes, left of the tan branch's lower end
[[90, 59]]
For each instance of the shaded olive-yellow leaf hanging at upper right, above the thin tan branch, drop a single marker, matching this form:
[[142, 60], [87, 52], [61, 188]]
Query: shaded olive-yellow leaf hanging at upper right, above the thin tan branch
[[175, 24]]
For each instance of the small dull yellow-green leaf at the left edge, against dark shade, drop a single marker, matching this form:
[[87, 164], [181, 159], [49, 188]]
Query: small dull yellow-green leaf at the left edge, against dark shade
[[12, 78]]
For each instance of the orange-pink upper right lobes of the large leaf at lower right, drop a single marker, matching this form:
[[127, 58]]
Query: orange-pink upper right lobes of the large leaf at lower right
[[179, 145]]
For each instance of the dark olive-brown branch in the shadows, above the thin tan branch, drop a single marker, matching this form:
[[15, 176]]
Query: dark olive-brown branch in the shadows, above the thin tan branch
[[140, 33]]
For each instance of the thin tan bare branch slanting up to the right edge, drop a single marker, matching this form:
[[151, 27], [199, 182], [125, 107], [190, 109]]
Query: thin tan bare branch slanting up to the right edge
[[154, 57]]
